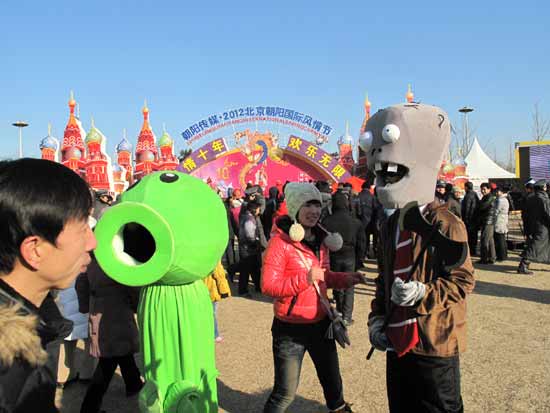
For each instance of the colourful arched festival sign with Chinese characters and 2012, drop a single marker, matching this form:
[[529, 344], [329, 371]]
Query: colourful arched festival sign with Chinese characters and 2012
[[263, 145]]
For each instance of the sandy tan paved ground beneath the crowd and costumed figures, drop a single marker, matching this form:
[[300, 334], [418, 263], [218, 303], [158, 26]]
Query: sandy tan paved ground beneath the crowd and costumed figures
[[505, 368]]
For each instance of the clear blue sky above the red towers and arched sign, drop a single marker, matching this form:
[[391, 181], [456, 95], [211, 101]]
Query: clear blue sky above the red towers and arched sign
[[190, 60]]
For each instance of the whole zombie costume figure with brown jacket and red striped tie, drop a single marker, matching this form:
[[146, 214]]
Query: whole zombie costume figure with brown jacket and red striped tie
[[425, 272]]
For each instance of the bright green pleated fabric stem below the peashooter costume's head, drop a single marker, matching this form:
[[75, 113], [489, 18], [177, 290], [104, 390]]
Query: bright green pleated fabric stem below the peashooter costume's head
[[176, 324]]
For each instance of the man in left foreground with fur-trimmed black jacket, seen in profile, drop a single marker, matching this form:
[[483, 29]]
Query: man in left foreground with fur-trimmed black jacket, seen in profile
[[44, 244]]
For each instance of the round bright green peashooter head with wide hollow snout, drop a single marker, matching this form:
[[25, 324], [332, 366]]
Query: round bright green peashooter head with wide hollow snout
[[169, 228]]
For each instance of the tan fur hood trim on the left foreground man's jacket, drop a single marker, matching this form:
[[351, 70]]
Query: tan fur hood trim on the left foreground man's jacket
[[19, 338]]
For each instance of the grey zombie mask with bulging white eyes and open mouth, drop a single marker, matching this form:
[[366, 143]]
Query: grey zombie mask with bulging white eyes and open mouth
[[405, 145]]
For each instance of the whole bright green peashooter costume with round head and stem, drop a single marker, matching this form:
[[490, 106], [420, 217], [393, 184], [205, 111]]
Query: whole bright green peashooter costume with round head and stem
[[167, 234]]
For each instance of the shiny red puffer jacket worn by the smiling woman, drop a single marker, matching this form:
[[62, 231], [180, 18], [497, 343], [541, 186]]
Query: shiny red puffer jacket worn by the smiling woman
[[284, 276]]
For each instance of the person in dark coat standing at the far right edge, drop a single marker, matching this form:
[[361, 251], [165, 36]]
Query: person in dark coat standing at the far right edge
[[536, 221]]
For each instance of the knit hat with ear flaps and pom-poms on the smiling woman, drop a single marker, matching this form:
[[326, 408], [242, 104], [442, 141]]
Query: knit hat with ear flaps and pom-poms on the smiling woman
[[297, 194]]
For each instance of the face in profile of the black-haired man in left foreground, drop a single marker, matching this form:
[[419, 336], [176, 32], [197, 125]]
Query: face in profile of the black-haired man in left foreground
[[70, 256]]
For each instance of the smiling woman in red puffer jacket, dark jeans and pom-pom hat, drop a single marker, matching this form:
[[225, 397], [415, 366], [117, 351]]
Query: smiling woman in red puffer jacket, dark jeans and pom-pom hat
[[297, 256]]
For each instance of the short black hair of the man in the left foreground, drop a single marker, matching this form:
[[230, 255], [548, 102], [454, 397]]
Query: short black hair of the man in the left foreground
[[37, 197]]
